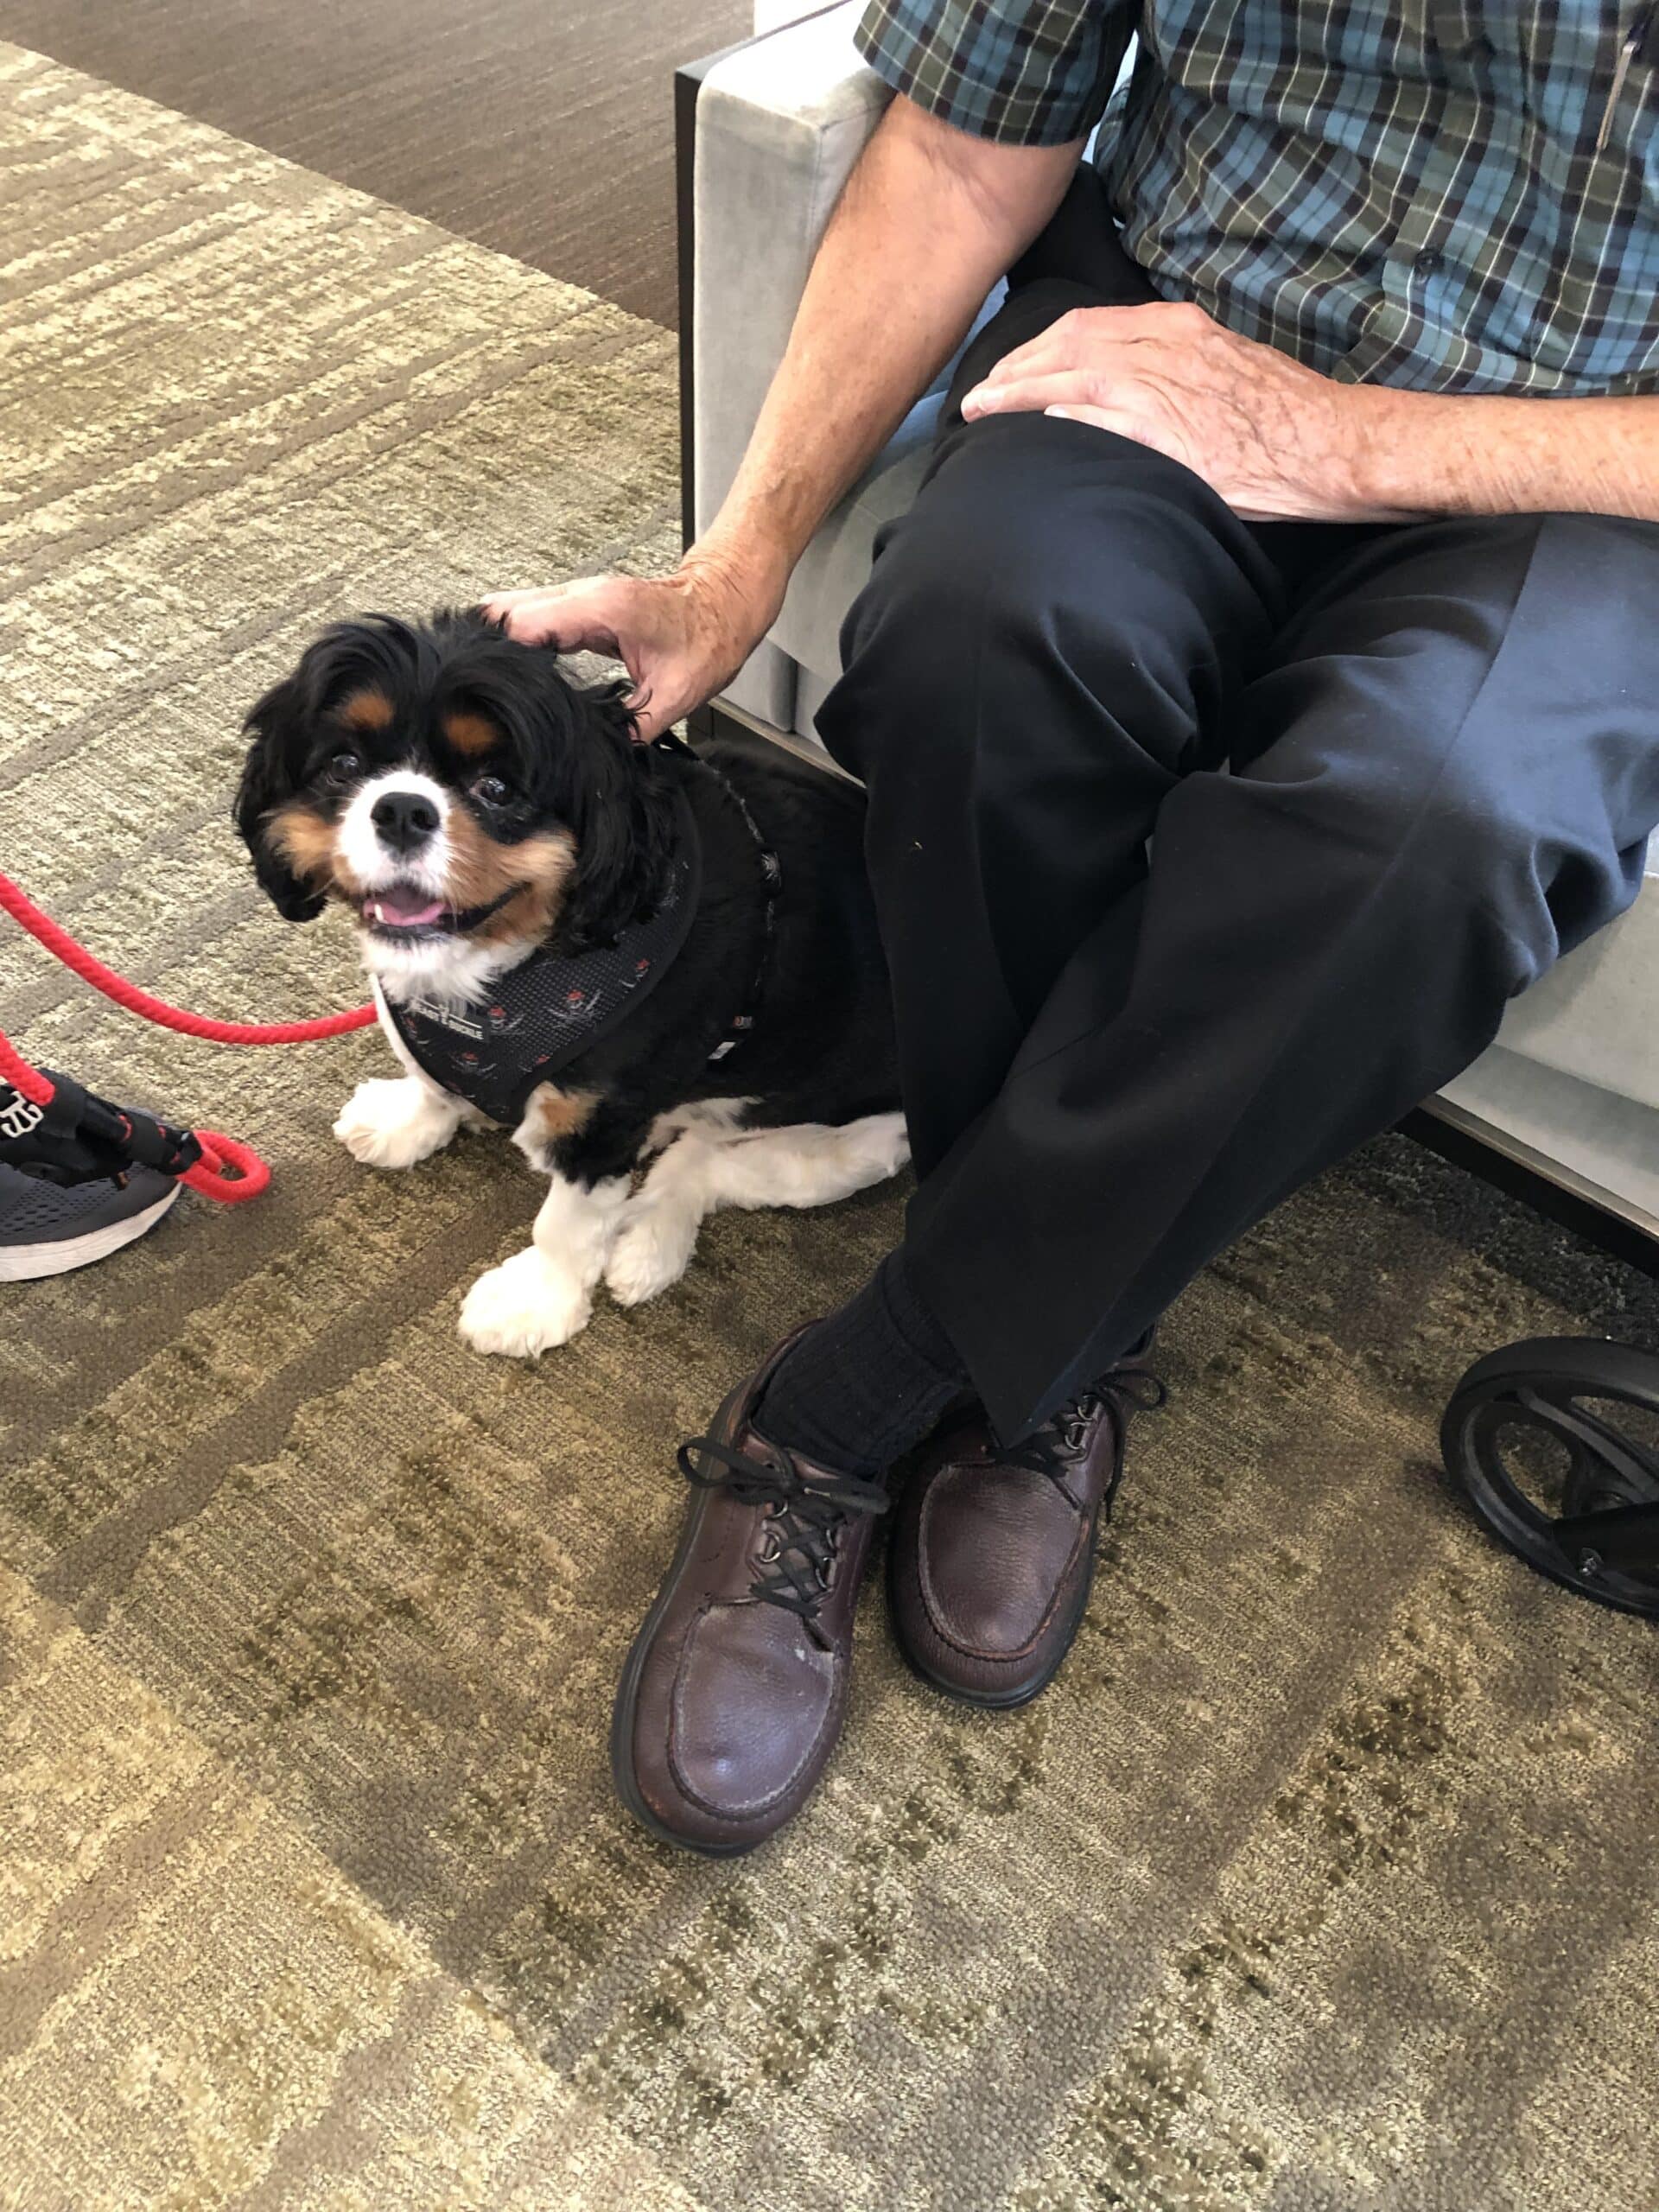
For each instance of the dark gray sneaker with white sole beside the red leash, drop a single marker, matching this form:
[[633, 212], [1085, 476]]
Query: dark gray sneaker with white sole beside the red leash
[[70, 1185]]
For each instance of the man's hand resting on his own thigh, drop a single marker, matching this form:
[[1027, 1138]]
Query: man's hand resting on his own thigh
[[1277, 441]]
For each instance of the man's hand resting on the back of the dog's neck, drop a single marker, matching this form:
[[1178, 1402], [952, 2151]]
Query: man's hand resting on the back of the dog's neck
[[680, 638]]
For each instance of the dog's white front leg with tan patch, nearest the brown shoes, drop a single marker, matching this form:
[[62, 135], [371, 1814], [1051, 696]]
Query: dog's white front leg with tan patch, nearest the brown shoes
[[541, 1297]]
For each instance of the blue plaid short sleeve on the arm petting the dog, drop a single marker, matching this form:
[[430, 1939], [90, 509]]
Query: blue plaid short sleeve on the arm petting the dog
[[1025, 76]]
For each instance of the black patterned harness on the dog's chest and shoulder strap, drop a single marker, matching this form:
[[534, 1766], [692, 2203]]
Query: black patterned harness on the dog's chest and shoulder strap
[[552, 1008]]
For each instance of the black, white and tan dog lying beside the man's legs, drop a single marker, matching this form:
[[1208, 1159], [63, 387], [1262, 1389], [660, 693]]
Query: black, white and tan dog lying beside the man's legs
[[629, 954]]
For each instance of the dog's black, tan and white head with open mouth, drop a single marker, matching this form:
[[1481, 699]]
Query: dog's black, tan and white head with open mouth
[[459, 793]]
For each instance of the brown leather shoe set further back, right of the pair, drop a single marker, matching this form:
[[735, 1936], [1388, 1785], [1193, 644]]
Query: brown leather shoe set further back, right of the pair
[[994, 1550]]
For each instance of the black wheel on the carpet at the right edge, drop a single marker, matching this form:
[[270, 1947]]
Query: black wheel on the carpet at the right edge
[[1556, 1446]]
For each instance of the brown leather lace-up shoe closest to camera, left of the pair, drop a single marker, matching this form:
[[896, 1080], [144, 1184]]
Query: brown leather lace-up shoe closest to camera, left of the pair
[[738, 1682]]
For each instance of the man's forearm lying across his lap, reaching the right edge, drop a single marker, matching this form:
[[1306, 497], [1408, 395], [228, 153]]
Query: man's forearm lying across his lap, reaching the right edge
[[1441, 455]]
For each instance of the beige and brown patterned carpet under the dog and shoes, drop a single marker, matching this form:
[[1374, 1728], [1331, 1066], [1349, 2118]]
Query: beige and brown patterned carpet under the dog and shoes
[[1324, 1879]]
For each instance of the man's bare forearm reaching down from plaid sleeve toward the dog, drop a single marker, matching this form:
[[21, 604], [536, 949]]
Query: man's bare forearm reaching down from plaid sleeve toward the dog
[[928, 225]]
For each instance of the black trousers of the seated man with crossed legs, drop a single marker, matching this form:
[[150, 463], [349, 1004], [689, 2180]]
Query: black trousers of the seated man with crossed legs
[[1204, 851]]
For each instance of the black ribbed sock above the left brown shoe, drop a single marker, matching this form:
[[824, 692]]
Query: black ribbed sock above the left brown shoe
[[868, 1381]]
